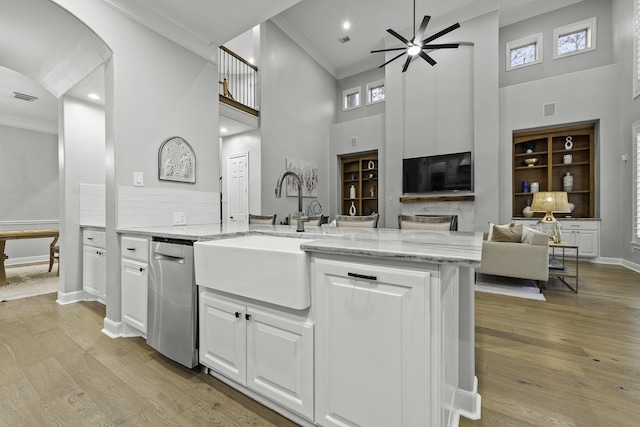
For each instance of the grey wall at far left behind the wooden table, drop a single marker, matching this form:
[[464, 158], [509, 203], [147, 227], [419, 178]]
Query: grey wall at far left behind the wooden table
[[29, 188]]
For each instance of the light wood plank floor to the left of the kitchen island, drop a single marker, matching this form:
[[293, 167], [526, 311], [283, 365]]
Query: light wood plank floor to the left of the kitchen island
[[58, 369]]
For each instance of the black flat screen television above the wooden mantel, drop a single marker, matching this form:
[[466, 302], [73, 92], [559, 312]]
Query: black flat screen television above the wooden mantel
[[441, 173]]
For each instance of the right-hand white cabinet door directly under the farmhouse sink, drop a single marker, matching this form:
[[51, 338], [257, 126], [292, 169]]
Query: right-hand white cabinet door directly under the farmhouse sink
[[280, 360]]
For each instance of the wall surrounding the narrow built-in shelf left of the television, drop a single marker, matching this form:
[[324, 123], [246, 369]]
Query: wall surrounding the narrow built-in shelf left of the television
[[369, 132]]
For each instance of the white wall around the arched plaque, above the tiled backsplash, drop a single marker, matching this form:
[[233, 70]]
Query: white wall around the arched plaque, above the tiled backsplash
[[155, 90]]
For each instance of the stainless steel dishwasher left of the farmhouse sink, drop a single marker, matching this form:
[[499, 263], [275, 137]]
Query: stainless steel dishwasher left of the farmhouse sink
[[172, 313]]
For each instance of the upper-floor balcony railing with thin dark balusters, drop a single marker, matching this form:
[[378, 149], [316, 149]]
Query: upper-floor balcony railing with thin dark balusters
[[237, 84]]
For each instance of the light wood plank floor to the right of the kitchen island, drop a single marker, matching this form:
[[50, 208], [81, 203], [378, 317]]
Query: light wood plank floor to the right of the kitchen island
[[573, 360]]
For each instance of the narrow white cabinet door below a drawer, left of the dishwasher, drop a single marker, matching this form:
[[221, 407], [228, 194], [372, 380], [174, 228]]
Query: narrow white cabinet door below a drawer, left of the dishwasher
[[134, 282]]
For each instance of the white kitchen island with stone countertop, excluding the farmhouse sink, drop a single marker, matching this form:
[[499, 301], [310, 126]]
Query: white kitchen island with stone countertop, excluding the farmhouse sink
[[388, 337]]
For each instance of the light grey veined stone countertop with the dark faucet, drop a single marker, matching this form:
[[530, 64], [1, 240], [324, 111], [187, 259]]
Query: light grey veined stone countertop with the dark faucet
[[440, 247]]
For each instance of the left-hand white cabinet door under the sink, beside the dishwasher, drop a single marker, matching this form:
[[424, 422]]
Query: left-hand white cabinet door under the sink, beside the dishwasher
[[223, 337]]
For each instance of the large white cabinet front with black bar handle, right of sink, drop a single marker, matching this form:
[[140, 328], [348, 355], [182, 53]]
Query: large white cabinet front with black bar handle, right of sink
[[371, 352]]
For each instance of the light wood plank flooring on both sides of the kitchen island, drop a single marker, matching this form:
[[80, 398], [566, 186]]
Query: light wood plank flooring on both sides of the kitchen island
[[573, 360]]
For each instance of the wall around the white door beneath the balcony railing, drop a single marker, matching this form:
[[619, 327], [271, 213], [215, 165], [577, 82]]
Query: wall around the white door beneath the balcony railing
[[247, 142]]
